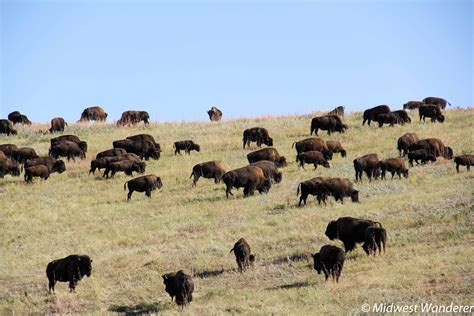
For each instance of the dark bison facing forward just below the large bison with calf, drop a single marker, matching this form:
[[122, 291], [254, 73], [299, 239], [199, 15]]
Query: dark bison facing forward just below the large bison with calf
[[330, 260]]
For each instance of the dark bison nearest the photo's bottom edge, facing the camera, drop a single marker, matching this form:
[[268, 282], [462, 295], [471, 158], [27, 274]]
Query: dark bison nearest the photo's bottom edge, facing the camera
[[180, 286]]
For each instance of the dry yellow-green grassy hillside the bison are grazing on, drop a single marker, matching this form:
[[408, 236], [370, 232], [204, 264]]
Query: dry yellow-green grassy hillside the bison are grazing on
[[428, 217]]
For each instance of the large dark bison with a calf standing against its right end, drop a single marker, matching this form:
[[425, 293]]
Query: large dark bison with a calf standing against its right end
[[349, 230]]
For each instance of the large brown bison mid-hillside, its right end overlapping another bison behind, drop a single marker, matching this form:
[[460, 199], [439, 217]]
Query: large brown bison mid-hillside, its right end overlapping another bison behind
[[249, 177]]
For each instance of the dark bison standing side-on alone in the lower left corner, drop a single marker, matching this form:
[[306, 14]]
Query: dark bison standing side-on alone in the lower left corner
[[70, 269]]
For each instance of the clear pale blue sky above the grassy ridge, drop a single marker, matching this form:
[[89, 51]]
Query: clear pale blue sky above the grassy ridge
[[176, 59]]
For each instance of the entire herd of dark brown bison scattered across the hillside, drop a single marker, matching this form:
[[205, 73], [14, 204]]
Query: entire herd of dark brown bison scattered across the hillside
[[128, 155]]
